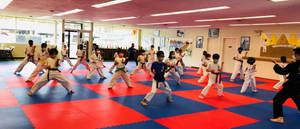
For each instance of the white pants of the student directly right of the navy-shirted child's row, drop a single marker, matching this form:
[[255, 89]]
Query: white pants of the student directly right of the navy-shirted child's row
[[212, 81]]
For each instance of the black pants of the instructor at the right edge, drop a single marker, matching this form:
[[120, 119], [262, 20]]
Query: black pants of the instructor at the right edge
[[289, 90]]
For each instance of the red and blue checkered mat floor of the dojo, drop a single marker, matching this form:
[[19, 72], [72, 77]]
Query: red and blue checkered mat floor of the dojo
[[94, 106]]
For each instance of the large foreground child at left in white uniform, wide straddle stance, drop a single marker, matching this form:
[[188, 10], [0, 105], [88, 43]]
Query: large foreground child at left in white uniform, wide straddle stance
[[52, 74]]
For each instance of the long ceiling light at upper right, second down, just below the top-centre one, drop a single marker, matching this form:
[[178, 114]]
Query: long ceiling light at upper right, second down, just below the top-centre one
[[237, 18]]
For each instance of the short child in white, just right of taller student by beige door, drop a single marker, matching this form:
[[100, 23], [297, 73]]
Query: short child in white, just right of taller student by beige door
[[250, 76]]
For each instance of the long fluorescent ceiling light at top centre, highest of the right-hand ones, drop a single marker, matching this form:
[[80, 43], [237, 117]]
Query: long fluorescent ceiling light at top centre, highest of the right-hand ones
[[192, 11]]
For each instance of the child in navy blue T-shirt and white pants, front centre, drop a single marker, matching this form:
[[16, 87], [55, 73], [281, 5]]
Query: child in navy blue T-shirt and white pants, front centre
[[159, 68]]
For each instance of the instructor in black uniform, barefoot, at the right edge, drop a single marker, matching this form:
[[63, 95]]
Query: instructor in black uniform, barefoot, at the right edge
[[291, 88]]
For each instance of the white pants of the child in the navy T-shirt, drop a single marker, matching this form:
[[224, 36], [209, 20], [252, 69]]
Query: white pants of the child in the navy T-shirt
[[160, 85]]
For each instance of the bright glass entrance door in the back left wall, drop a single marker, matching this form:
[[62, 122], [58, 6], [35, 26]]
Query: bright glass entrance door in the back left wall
[[72, 41]]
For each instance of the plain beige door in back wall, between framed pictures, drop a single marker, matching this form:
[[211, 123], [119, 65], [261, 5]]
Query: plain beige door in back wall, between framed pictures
[[229, 49]]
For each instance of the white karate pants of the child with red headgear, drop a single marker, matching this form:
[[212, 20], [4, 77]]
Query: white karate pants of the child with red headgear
[[117, 75]]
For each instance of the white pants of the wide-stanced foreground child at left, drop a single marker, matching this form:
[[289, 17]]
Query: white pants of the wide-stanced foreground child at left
[[53, 75]]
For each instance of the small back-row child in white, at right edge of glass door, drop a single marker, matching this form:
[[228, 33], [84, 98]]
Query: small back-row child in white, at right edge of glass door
[[81, 58]]
